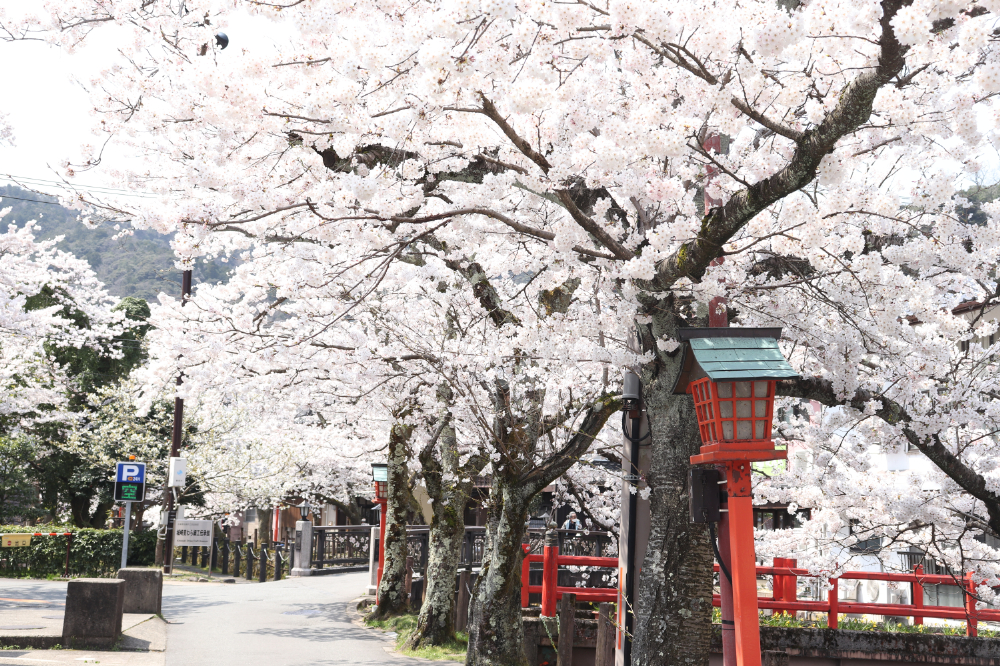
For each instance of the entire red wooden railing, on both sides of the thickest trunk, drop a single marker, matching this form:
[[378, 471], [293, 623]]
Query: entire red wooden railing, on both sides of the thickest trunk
[[784, 596]]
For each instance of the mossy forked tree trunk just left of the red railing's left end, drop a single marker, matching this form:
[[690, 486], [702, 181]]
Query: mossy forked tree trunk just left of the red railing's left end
[[495, 631]]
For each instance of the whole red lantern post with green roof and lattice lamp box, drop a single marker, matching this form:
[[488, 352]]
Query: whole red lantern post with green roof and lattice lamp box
[[732, 375]]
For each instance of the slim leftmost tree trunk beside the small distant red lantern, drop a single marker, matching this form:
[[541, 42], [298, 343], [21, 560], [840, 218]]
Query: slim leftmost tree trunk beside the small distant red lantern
[[392, 599]]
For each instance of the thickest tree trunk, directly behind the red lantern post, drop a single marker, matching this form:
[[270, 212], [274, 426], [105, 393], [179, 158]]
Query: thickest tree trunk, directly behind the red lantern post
[[674, 597]]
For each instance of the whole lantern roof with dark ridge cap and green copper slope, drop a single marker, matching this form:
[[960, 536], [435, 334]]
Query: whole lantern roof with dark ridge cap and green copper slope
[[726, 354]]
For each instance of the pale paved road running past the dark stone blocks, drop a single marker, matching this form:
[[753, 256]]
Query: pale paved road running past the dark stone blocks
[[292, 622]]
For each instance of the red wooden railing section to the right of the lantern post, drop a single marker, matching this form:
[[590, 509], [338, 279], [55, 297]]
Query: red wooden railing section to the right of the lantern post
[[785, 593]]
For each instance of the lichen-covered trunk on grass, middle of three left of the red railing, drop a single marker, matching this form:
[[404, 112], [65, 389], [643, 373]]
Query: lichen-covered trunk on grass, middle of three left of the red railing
[[436, 624]]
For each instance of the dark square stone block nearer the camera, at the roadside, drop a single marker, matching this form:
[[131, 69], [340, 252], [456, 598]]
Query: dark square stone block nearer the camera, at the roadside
[[93, 612]]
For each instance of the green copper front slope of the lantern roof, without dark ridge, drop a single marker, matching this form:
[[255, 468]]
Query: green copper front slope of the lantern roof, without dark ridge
[[741, 358]]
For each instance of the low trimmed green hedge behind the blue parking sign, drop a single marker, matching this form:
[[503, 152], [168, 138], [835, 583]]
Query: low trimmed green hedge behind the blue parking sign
[[93, 553]]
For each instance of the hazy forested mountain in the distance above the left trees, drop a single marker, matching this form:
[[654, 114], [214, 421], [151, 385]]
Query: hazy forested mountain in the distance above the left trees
[[141, 265]]
